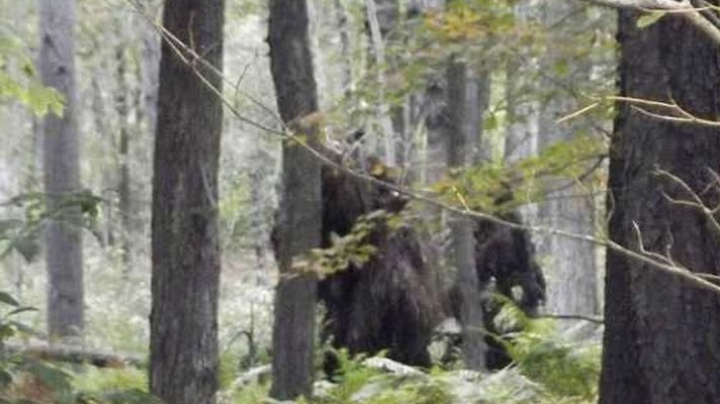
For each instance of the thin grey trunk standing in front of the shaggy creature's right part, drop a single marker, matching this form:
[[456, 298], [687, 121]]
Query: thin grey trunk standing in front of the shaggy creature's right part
[[462, 136]]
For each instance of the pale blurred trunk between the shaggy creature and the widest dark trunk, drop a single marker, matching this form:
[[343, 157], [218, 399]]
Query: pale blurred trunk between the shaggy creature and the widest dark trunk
[[569, 263]]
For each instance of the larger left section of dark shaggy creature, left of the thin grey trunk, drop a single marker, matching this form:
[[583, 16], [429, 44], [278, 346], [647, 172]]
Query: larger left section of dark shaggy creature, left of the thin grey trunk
[[389, 303]]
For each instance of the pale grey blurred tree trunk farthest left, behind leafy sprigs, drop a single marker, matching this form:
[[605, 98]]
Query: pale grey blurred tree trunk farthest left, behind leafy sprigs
[[61, 151]]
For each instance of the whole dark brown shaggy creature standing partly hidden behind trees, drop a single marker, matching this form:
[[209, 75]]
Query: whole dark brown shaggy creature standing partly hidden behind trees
[[393, 302]]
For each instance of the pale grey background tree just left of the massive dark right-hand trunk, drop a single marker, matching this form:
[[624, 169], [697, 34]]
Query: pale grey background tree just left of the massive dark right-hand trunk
[[569, 203]]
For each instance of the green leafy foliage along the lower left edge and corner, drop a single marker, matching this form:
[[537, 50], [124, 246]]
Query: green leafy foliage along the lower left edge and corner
[[26, 379]]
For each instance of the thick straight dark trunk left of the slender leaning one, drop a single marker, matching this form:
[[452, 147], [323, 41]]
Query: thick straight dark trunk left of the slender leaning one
[[185, 246]]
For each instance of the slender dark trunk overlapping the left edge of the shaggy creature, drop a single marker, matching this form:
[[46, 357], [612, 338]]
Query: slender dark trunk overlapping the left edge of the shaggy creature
[[300, 221]]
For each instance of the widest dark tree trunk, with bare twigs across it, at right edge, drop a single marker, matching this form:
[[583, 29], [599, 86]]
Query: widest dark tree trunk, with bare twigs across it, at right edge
[[662, 336]]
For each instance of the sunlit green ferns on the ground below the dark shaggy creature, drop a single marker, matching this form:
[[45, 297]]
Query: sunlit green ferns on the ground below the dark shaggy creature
[[548, 370]]
